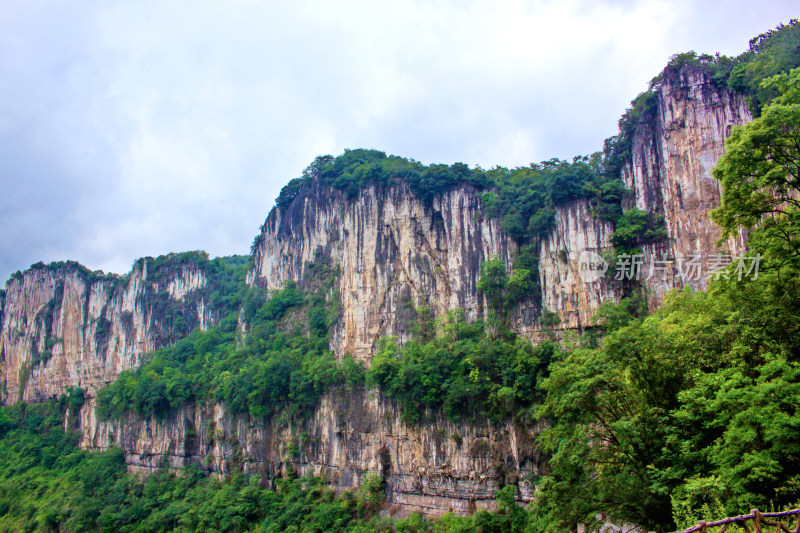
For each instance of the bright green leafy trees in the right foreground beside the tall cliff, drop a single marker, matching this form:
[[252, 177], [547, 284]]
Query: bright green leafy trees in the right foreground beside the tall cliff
[[693, 411]]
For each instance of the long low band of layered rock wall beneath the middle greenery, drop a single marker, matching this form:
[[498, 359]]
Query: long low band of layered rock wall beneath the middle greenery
[[434, 468]]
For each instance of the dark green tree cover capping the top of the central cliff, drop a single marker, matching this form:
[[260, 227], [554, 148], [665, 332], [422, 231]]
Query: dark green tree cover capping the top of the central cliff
[[515, 195]]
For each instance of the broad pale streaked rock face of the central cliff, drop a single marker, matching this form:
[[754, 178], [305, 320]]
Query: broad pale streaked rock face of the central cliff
[[393, 254]]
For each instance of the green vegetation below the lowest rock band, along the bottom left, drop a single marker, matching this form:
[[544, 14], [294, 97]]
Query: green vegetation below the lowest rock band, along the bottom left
[[48, 484]]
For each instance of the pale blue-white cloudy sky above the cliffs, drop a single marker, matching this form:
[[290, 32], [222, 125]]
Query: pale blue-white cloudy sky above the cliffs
[[140, 128]]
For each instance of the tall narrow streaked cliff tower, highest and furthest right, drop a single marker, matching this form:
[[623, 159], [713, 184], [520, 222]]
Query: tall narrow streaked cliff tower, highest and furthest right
[[670, 173]]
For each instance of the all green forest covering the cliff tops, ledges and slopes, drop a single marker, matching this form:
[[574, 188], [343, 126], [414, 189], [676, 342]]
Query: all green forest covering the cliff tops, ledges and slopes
[[662, 419]]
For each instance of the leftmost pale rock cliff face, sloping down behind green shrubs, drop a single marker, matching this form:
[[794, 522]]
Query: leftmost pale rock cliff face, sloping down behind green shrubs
[[62, 326]]
